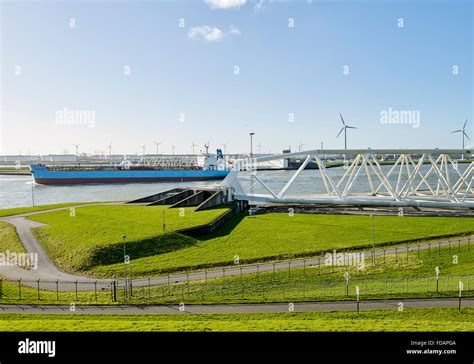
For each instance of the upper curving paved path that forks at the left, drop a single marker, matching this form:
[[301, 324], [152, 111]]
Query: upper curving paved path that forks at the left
[[48, 273]]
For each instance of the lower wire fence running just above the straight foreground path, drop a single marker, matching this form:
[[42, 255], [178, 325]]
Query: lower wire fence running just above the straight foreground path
[[233, 291]]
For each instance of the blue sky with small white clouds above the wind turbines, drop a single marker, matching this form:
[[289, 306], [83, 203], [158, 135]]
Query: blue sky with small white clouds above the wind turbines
[[129, 73]]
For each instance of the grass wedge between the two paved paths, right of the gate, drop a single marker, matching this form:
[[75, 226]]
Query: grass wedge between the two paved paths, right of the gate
[[390, 277]]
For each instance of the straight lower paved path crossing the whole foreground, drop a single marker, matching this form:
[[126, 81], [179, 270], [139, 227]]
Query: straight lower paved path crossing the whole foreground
[[239, 308]]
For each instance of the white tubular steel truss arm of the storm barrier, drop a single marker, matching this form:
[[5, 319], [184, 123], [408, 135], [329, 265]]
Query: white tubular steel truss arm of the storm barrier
[[414, 178]]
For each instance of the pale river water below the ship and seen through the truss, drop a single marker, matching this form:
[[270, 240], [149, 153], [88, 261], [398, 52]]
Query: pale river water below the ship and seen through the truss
[[19, 191]]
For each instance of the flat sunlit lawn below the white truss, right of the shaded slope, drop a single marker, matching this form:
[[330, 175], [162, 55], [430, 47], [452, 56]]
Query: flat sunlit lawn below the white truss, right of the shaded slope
[[278, 236]]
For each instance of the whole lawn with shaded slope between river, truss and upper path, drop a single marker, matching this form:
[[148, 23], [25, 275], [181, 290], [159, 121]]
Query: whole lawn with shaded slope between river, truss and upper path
[[91, 241]]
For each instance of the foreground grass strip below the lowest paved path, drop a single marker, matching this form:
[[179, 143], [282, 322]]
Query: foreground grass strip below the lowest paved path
[[432, 320]]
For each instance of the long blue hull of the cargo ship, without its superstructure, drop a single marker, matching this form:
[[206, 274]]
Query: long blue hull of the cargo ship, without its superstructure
[[43, 175]]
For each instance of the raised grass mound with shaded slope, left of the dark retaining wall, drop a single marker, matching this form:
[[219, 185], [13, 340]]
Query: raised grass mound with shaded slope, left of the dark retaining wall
[[93, 236]]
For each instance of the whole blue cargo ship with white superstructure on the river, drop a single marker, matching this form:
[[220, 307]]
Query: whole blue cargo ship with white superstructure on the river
[[212, 168]]
